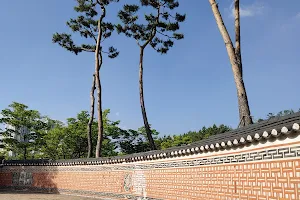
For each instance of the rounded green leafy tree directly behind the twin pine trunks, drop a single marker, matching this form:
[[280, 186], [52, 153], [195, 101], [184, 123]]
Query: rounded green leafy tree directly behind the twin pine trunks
[[69, 141]]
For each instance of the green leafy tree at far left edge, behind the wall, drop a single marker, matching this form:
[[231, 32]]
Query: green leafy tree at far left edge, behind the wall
[[24, 130]]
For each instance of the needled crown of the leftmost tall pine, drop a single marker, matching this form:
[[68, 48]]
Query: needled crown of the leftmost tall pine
[[86, 25]]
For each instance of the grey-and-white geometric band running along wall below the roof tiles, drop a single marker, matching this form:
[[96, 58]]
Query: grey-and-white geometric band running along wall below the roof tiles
[[262, 155]]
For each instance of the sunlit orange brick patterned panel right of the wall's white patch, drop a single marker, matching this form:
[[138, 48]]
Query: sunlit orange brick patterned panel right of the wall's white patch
[[270, 180]]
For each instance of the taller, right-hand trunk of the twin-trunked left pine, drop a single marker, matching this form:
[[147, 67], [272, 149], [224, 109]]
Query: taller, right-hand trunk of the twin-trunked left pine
[[98, 64]]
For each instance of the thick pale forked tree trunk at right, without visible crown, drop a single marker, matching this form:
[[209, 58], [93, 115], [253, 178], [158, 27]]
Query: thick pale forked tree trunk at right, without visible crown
[[244, 110]]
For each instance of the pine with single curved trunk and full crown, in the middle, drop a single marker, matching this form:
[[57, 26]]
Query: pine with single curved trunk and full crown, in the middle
[[158, 29]]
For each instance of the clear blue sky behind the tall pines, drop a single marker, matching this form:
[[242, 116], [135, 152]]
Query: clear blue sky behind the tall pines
[[188, 88]]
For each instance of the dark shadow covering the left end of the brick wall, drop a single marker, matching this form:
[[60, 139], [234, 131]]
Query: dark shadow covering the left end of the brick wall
[[28, 176]]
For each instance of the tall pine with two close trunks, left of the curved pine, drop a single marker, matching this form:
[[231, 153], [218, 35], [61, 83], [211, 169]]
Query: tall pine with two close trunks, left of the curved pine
[[91, 25]]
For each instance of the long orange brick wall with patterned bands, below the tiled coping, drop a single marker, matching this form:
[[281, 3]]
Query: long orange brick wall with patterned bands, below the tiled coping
[[266, 169]]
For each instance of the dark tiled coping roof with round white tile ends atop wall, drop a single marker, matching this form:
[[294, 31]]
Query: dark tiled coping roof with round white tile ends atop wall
[[264, 130]]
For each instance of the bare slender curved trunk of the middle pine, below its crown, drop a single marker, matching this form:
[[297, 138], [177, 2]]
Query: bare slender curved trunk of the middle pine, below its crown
[[141, 86]]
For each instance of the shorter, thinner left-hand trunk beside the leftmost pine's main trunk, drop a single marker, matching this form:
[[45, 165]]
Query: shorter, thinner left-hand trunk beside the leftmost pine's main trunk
[[90, 123]]
